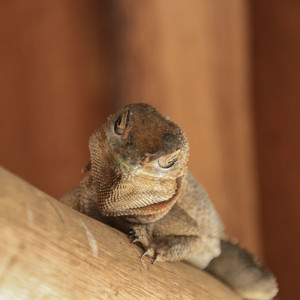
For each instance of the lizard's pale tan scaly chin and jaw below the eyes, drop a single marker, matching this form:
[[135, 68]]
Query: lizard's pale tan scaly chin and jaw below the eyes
[[133, 195]]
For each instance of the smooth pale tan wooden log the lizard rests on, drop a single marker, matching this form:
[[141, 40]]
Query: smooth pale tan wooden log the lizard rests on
[[49, 251]]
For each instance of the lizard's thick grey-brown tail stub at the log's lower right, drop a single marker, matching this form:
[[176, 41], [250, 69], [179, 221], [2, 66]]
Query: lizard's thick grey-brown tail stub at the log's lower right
[[243, 272]]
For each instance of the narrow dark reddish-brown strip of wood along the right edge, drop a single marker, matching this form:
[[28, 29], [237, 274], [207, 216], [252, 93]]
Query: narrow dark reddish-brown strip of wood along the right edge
[[277, 112]]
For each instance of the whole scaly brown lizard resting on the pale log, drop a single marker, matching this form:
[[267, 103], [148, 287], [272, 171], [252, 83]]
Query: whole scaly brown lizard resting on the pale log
[[138, 176]]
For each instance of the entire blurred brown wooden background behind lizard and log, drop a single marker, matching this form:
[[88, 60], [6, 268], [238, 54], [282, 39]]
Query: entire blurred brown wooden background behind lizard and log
[[226, 71]]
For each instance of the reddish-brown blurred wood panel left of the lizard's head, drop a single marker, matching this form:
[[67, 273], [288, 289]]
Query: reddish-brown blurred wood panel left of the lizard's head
[[53, 73]]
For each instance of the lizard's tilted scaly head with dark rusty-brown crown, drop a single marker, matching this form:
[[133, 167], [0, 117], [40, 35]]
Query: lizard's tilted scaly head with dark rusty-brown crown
[[138, 162]]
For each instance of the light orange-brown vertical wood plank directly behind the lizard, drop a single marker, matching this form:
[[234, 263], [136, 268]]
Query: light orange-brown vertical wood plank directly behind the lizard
[[190, 60]]
